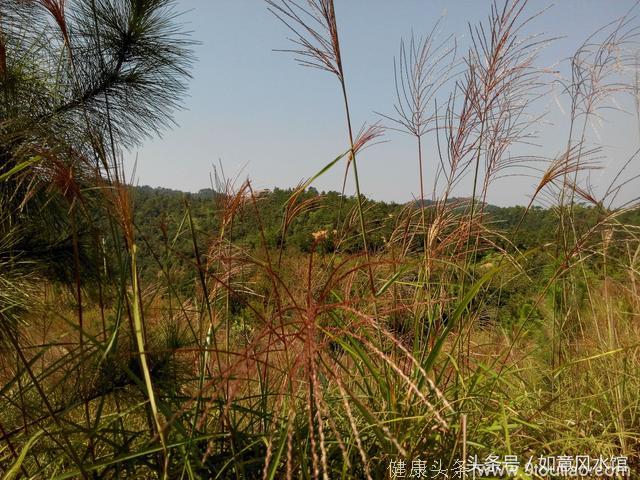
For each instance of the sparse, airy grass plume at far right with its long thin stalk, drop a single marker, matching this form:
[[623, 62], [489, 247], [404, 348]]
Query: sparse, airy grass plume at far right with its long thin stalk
[[600, 71]]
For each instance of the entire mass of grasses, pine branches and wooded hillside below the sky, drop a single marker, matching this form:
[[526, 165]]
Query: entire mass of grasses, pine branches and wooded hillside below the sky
[[148, 333]]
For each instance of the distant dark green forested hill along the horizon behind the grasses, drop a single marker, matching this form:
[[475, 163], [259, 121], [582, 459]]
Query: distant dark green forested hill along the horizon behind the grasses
[[160, 217]]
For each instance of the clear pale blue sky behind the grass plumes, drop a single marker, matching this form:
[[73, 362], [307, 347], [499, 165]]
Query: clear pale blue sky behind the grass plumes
[[266, 118]]
